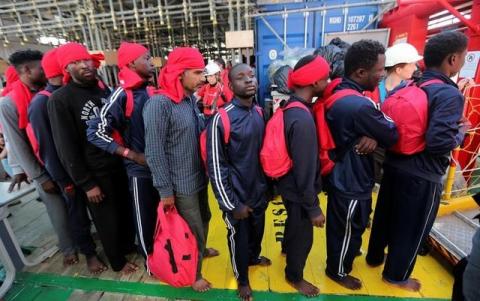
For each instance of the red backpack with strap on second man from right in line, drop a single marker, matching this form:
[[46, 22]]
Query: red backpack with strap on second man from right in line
[[326, 144]]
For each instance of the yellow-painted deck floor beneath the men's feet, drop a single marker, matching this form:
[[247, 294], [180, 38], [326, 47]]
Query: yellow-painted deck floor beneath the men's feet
[[436, 280]]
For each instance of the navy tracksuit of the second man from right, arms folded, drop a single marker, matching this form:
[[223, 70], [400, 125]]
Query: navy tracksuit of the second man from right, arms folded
[[351, 182]]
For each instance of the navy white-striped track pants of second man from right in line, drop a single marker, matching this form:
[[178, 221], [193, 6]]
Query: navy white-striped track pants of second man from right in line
[[346, 221]]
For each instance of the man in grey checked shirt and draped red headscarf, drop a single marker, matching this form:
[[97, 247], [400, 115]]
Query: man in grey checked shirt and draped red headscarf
[[172, 149]]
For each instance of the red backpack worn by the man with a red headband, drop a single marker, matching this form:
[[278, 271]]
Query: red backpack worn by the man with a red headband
[[274, 157]]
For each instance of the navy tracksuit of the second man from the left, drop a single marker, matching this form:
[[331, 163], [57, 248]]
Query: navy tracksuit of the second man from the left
[[79, 220]]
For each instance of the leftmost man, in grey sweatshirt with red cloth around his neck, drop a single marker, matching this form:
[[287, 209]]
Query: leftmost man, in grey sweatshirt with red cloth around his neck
[[14, 119]]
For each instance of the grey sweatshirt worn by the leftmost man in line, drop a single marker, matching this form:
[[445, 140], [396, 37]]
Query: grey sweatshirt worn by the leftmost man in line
[[19, 145]]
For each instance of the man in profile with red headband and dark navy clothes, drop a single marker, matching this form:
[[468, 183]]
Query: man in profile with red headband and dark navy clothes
[[300, 187]]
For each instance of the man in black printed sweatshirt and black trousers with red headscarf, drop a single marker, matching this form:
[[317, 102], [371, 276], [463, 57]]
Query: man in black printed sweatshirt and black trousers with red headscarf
[[93, 171]]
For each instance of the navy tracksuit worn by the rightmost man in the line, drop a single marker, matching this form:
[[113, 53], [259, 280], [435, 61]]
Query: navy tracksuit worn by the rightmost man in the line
[[410, 193]]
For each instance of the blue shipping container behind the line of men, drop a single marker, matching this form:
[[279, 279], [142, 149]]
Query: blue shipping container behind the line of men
[[296, 27]]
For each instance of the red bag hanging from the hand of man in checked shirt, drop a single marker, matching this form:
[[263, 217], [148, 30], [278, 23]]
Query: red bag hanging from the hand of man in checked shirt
[[175, 254]]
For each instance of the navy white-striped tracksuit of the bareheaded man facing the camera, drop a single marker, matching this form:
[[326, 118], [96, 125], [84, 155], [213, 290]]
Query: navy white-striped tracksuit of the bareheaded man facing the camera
[[238, 180]]
